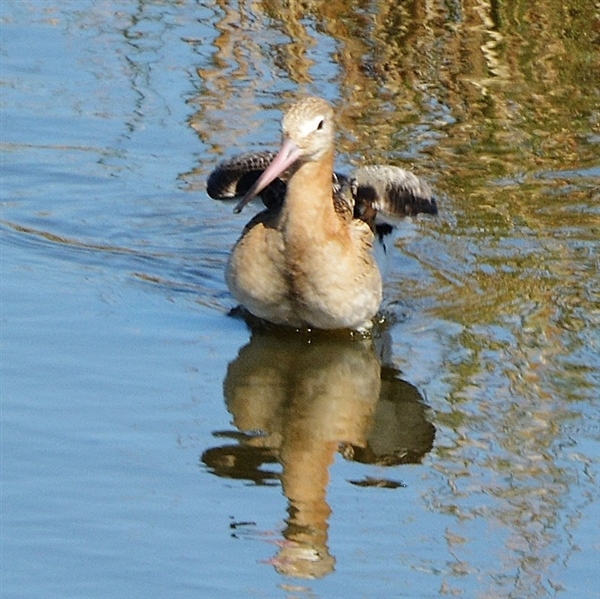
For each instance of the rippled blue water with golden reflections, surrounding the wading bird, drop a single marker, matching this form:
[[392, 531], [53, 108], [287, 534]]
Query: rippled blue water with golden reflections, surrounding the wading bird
[[152, 446]]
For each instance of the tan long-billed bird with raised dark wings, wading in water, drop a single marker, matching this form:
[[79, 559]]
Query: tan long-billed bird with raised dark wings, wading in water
[[306, 261]]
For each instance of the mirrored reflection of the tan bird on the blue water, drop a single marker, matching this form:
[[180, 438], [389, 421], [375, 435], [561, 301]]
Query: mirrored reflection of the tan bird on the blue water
[[296, 401]]
